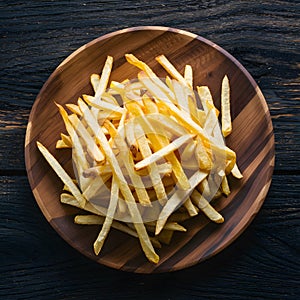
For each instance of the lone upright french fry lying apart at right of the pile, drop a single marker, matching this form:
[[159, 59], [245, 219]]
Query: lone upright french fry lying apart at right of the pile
[[225, 107]]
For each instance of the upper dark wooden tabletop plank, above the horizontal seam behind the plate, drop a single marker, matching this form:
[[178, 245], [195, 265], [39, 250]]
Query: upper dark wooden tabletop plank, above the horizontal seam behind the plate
[[255, 45]]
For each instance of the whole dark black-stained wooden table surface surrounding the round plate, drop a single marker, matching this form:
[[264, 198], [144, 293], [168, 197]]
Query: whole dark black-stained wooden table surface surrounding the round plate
[[263, 263]]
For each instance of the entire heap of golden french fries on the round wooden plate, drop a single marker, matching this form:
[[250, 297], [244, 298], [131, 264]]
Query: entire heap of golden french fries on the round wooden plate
[[147, 153]]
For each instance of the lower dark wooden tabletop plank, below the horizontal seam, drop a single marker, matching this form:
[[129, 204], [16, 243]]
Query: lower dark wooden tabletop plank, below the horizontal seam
[[36, 262]]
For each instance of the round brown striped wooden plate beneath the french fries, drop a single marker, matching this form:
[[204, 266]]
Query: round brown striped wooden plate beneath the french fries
[[252, 139]]
